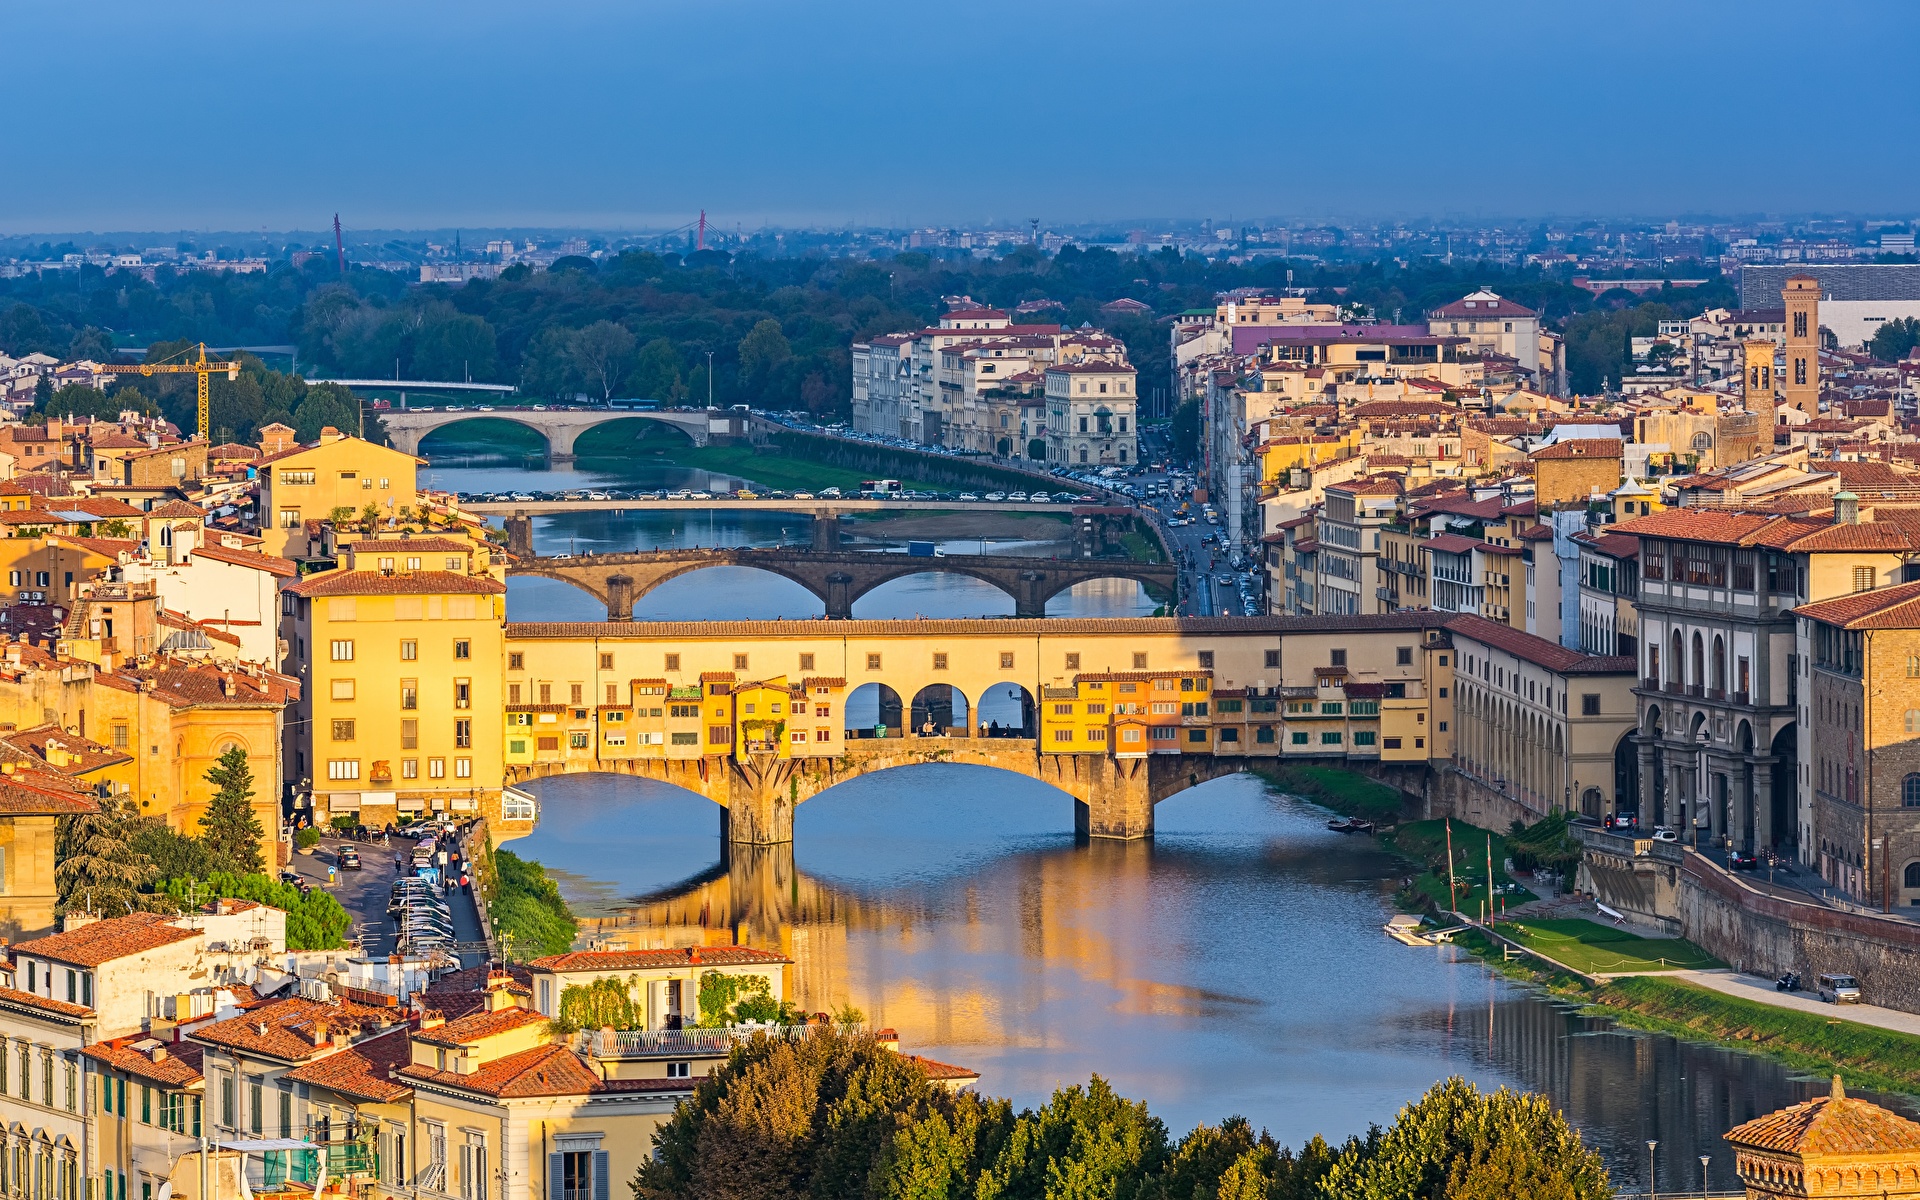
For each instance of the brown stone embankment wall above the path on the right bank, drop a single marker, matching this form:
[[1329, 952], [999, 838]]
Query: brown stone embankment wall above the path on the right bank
[[1750, 926]]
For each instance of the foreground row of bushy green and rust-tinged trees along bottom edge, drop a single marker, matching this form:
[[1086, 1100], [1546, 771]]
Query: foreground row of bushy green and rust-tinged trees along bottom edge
[[838, 1116]]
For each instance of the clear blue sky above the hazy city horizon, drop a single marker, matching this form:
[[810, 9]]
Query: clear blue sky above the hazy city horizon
[[635, 114]]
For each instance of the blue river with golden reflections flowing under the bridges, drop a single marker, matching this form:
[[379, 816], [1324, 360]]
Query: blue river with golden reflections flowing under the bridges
[[1236, 965]]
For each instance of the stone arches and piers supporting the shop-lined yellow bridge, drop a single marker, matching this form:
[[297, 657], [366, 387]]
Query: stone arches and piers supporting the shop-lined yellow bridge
[[1113, 798]]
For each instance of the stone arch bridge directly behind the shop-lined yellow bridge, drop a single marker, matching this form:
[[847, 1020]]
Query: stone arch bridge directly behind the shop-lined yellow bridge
[[840, 577]]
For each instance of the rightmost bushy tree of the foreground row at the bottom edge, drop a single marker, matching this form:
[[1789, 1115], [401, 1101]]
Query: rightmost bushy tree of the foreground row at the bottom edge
[[1460, 1143]]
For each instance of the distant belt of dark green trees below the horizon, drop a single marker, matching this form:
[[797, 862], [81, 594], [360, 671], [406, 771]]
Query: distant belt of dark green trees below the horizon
[[779, 331]]
